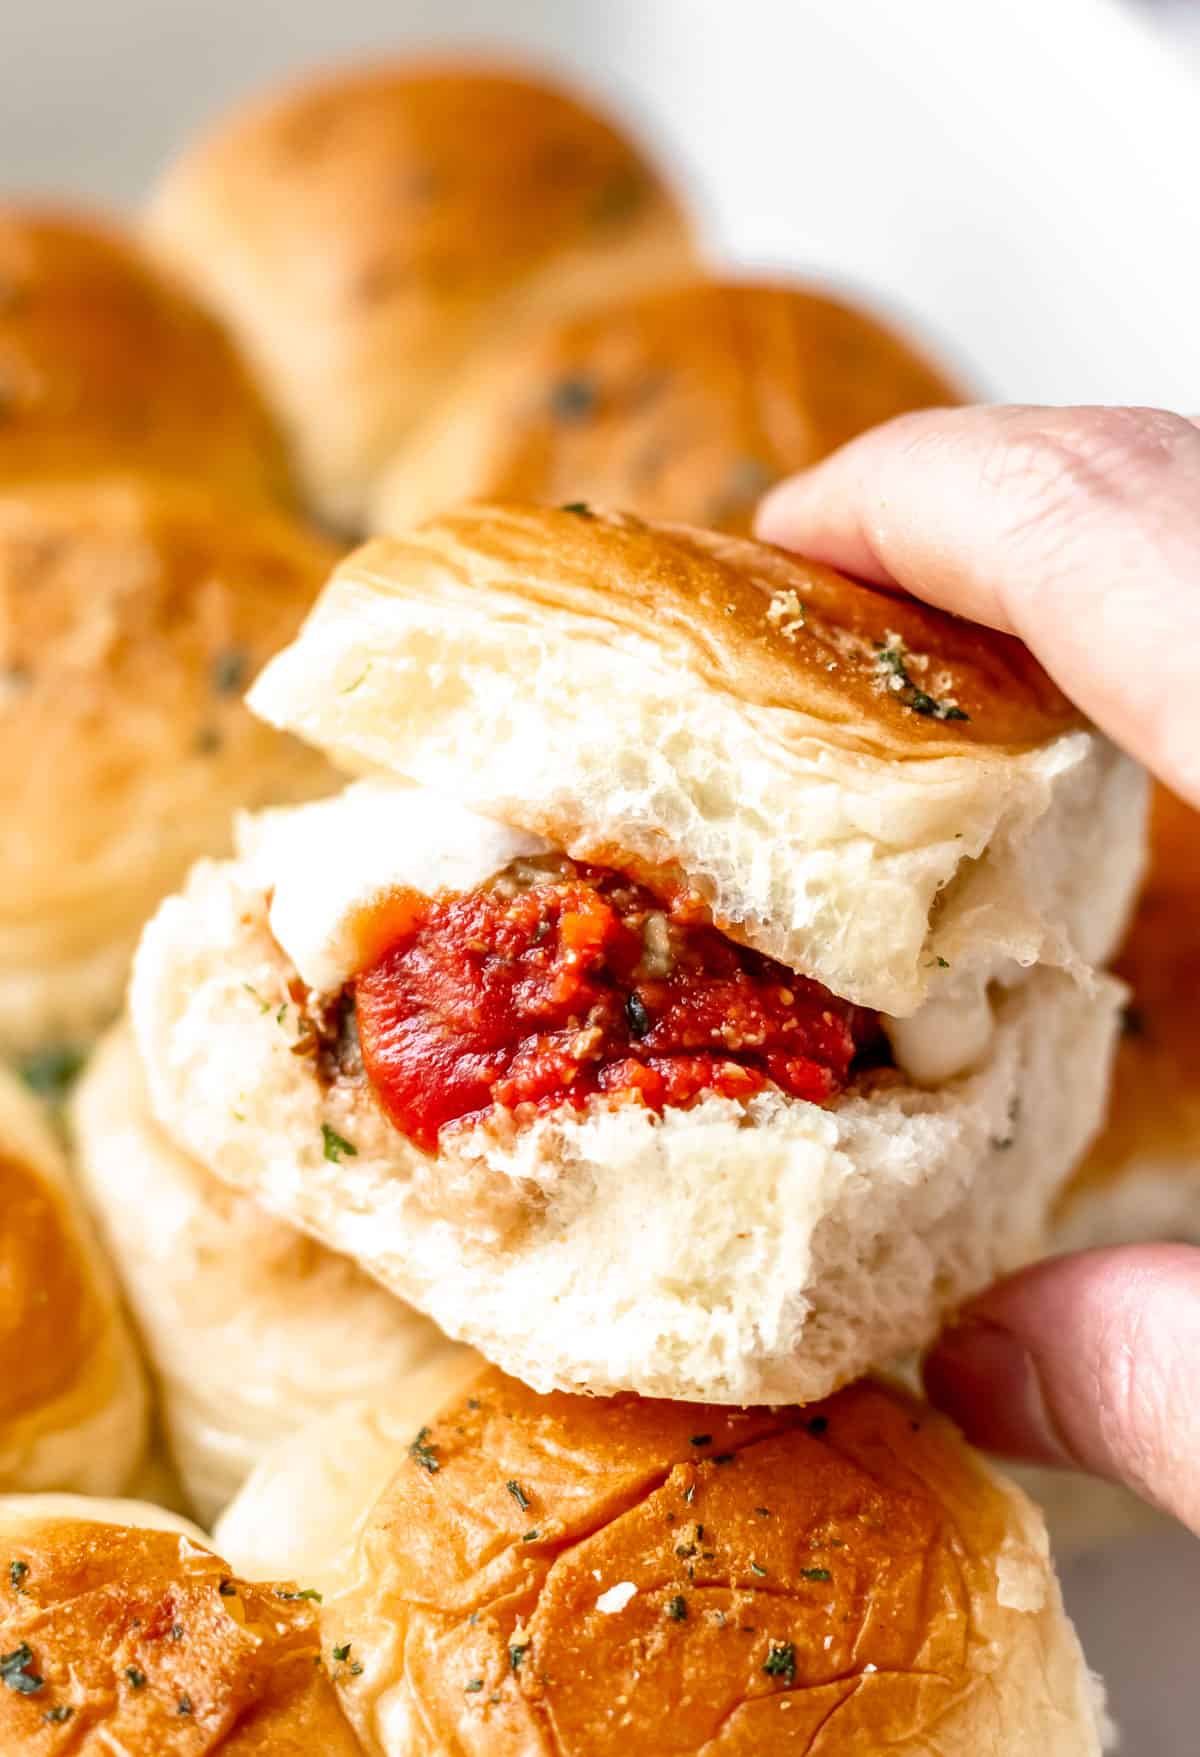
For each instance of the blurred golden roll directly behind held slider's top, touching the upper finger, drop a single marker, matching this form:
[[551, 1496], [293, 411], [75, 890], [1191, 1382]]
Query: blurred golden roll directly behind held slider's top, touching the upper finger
[[681, 403]]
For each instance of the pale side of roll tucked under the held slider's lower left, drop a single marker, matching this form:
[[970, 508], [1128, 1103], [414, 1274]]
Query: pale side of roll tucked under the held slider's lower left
[[250, 1326]]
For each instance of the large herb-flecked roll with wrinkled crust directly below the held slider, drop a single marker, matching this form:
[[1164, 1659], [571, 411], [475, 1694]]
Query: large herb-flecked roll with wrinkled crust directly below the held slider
[[637, 1577]]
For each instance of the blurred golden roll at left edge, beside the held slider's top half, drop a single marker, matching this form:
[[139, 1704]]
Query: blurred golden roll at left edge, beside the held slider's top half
[[133, 616]]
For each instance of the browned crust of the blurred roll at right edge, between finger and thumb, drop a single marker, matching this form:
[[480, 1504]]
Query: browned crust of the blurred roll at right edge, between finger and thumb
[[1155, 1101]]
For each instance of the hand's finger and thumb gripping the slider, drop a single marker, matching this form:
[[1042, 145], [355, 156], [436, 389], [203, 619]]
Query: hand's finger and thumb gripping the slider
[[1080, 531]]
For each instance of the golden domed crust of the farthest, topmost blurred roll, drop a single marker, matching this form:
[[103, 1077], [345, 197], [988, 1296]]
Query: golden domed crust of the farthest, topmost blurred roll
[[365, 184]]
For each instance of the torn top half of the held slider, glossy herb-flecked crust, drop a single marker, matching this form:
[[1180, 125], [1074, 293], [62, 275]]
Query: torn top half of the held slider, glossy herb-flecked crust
[[816, 760]]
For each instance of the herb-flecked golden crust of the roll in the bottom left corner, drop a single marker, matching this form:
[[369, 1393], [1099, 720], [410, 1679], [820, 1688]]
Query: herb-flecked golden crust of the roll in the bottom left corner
[[138, 1642]]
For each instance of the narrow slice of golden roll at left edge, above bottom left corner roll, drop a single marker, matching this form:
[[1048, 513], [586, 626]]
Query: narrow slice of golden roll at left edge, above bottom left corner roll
[[73, 1405]]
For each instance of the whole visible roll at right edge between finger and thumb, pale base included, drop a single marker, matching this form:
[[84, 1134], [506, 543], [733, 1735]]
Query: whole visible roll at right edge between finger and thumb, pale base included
[[1141, 1180]]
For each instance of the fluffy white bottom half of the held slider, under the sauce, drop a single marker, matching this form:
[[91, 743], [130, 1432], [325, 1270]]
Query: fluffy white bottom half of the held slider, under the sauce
[[737, 1255]]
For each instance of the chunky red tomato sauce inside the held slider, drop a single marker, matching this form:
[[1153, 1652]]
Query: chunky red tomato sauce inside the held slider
[[582, 983]]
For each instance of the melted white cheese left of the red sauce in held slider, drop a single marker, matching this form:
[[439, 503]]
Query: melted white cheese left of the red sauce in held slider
[[328, 867]]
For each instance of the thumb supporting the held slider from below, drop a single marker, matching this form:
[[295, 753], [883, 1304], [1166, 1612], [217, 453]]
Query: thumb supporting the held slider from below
[[1087, 1361]]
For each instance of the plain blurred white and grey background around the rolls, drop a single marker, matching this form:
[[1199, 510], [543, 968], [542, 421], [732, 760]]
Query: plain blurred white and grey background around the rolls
[[1016, 180]]
